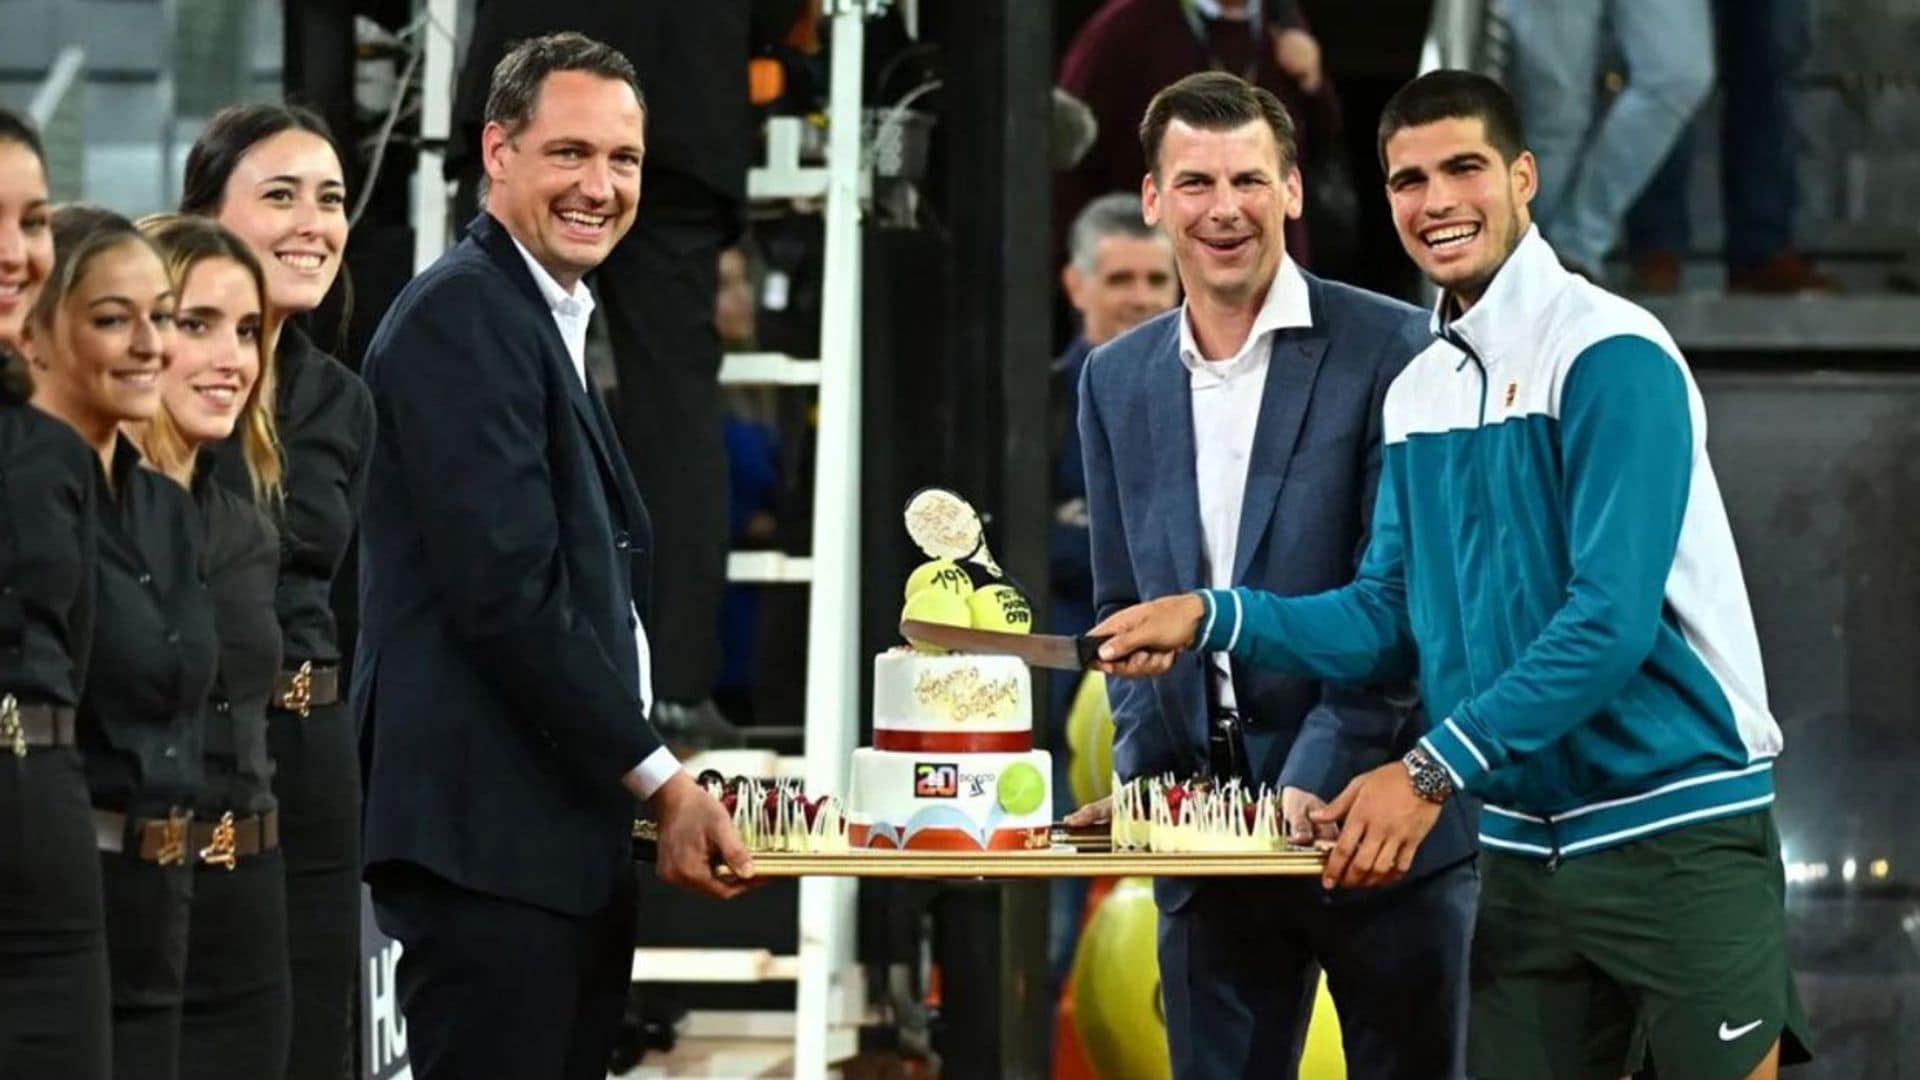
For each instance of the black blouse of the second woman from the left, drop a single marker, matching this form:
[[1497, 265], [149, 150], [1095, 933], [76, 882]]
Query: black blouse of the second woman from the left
[[155, 647]]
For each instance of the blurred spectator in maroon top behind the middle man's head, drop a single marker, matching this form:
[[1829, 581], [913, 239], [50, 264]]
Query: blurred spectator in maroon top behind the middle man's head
[[1132, 49]]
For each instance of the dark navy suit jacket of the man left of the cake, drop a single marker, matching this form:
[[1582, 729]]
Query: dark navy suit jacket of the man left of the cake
[[504, 551]]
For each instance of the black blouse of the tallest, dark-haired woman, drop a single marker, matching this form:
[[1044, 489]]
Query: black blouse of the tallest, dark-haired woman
[[325, 418]]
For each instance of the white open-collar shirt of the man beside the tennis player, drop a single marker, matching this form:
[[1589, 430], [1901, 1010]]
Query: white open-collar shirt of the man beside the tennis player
[[1226, 408]]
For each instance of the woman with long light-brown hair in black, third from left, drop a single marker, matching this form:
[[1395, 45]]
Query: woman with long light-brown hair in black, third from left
[[218, 387]]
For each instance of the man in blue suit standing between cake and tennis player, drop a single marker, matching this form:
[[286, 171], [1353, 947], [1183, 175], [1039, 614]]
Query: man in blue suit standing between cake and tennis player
[[1237, 441]]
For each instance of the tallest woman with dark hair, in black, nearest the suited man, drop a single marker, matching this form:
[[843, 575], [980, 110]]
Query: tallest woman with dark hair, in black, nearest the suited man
[[274, 178]]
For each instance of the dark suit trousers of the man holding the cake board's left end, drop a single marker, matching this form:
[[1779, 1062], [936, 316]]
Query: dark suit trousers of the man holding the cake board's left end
[[494, 987]]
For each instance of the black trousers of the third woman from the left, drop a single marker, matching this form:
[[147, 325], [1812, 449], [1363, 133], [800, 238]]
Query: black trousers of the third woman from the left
[[239, 1008]]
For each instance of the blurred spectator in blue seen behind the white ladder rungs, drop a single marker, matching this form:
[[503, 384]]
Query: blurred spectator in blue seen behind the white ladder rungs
[[754, 489]]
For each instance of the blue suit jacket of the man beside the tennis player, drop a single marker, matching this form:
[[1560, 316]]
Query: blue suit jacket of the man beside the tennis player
[[1305, 520]]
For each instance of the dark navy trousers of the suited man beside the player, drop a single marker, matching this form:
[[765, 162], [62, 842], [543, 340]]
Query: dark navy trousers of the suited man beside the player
[[1241, 960]]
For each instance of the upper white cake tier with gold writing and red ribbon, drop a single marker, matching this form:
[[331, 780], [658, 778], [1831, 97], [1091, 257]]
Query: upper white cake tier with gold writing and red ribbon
[[951, 704]]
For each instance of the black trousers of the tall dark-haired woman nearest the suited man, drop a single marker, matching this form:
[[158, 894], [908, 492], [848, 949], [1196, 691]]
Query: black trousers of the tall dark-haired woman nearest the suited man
[[318, 785]]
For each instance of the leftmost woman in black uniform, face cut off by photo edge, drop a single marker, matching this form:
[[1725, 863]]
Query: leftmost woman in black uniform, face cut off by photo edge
[[53, 941]]
